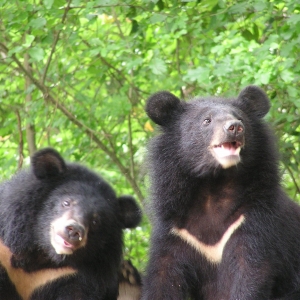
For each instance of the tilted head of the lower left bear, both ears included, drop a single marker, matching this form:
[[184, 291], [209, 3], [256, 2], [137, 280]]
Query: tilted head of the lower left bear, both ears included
[[65, 210]]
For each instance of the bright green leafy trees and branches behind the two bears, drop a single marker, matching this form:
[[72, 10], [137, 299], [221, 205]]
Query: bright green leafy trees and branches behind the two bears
[[75, 75]]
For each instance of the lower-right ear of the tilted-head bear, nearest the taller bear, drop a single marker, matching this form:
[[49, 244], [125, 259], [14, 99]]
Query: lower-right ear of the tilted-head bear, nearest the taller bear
[[130, 214]]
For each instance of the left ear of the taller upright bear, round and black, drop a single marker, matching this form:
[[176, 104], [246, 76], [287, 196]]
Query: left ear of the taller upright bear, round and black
[[161, 107]]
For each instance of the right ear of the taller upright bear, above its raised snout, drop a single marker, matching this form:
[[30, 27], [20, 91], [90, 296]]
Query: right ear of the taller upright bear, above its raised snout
[[254, 100]]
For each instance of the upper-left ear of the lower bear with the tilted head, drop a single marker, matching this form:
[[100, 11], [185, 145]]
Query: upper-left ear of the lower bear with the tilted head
[[47, 163]]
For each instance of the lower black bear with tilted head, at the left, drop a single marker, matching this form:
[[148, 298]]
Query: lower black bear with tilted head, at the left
[[61, 231]]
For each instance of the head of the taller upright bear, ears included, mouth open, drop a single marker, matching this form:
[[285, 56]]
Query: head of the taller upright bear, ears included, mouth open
[[209, 133]]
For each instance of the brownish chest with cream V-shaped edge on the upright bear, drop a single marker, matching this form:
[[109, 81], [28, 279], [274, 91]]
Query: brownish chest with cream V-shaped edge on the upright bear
[[209, 222]]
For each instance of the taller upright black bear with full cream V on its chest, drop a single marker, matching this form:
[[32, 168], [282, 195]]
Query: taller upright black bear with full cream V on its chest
[[222, 226]]
